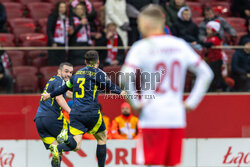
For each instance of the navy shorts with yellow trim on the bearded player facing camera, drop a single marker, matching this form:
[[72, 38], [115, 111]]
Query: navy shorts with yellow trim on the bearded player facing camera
[[48, 129]]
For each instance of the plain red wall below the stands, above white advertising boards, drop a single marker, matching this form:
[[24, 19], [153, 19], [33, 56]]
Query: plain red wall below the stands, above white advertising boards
[[218, 116]]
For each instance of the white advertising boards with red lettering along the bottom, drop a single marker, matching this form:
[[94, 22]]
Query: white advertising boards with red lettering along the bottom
[[197, 153]]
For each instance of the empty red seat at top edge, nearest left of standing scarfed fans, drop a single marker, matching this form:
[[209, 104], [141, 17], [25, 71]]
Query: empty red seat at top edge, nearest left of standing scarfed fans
[[39, 10]]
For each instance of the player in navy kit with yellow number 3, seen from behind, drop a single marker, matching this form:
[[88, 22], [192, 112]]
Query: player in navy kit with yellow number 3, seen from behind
[[85, 114]]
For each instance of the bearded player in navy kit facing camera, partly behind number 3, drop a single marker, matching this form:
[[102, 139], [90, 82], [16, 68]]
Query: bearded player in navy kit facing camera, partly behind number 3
[[49, 118]]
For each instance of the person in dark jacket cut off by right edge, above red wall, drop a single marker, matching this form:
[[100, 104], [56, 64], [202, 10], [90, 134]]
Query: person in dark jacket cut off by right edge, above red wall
[[241, 67]]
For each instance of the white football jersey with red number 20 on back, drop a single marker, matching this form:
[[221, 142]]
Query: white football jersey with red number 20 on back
[[168, 57]]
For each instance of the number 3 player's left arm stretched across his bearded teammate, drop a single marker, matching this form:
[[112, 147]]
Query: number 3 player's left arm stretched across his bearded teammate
[[58, 91]]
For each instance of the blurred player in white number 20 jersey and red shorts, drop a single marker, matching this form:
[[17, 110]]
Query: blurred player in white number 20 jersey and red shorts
[[163, 119]]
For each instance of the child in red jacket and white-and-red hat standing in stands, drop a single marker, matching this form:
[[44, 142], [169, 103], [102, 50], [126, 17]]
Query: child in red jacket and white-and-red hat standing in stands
[[214, 56]]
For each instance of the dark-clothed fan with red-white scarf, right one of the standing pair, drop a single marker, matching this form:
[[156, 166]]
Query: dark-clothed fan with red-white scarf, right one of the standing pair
[[81, 35]]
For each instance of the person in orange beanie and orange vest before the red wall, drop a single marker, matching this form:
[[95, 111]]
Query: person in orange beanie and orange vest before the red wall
[[125, 125]]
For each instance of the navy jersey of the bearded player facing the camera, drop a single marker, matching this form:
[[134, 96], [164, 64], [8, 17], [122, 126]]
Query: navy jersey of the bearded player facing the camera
[[51, 107]]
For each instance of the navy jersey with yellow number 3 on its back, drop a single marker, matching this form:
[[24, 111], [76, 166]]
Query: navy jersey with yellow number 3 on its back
[[85, 85]]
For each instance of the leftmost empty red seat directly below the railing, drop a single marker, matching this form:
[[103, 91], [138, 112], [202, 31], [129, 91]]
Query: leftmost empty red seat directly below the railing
[[17, 58]]
